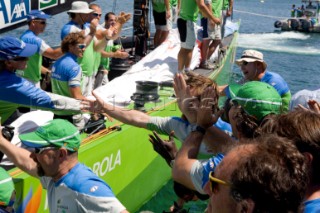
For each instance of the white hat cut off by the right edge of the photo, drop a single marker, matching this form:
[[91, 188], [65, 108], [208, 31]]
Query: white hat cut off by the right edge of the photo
[[302, 97]]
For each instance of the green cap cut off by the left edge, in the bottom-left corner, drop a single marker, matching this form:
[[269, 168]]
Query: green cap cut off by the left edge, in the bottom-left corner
[[6, 187]]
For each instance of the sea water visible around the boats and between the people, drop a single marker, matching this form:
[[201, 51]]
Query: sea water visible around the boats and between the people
[[295, 56]]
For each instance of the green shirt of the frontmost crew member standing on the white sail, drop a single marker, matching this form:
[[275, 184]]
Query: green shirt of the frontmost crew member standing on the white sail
[[189, 10]]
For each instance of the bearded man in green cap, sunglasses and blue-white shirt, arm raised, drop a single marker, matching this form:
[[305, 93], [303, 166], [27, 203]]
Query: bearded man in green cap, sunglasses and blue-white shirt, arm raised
[[70, 185]]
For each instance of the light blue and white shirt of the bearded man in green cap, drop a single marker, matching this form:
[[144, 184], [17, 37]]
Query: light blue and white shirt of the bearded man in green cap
[[80, 190]]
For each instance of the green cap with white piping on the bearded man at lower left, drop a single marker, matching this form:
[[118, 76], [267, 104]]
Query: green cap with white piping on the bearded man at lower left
[[57, 132]]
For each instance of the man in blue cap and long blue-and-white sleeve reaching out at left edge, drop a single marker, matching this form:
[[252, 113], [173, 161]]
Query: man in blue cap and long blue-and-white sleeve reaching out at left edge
[[15, 91]]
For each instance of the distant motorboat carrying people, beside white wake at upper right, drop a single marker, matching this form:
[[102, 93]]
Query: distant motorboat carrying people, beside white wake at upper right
[[308, 22]]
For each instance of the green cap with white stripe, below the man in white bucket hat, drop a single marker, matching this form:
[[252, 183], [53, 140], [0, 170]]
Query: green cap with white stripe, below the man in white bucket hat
[[257, 98]]
